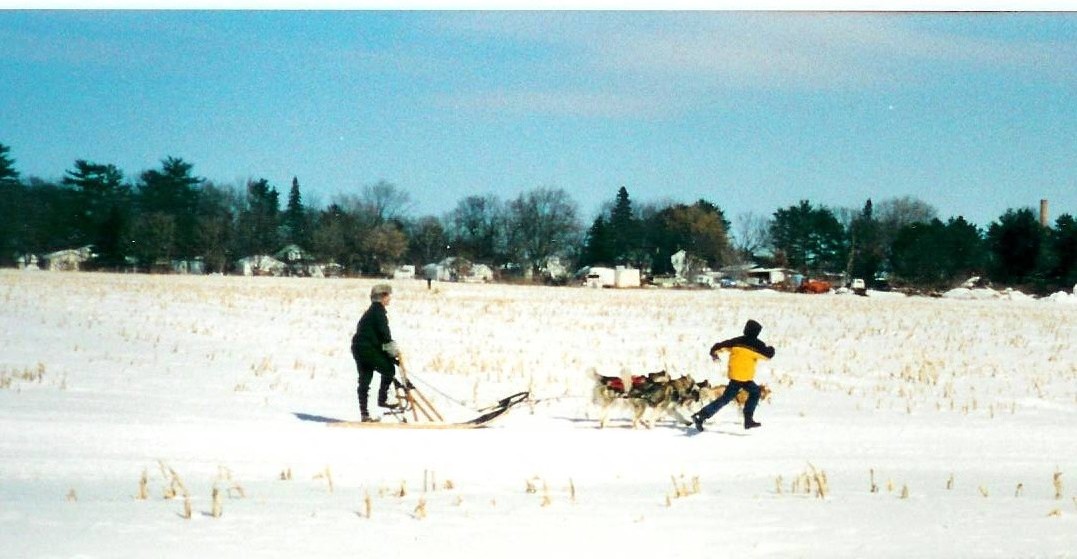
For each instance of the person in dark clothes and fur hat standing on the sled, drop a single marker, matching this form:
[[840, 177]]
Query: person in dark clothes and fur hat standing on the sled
[[374, 351]]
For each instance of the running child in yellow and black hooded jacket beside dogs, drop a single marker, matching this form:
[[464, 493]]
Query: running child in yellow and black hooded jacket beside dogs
[[745, 354]]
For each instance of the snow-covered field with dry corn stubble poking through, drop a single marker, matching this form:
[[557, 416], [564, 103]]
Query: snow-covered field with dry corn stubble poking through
[[898, 427]]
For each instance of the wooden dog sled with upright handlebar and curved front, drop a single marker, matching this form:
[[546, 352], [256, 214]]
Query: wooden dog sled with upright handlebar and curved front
[[413, 403]]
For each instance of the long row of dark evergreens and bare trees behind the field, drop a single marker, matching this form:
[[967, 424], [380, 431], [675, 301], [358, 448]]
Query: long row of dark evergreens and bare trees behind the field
[[170, 214]]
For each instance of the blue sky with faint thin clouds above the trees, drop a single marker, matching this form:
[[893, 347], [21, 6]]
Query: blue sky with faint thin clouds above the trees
[[972, 114]]
